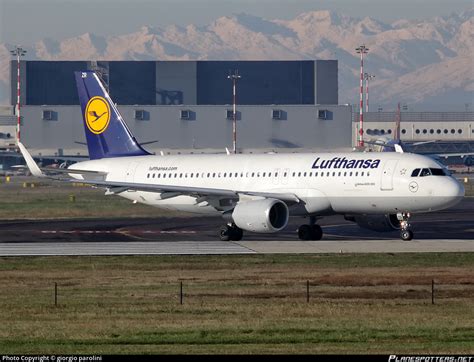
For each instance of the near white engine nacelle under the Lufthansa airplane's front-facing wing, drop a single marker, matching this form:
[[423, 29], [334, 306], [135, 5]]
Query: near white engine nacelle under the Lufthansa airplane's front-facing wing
[[261, 216]]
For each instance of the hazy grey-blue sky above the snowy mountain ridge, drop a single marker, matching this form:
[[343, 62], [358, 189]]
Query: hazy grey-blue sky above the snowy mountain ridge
[[27, 21]]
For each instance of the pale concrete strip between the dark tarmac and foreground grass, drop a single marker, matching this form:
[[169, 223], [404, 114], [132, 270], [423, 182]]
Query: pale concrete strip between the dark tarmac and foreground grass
[[242, 247]]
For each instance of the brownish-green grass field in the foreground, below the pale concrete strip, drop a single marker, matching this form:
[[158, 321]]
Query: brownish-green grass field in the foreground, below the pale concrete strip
[[378, 303]]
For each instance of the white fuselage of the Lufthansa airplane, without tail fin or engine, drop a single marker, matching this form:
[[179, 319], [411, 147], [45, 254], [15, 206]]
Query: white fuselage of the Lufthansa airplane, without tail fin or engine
[[327, 183]]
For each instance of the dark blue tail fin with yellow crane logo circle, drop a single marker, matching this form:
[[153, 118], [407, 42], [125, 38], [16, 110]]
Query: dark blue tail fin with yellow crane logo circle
[[107, 134]]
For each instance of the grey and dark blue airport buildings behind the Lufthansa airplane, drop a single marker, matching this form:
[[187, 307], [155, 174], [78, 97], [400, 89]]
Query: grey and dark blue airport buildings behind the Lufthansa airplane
[[186, 106]]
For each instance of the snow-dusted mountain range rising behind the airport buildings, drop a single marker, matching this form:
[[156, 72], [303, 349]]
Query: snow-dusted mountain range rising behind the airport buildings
[[426, 64]]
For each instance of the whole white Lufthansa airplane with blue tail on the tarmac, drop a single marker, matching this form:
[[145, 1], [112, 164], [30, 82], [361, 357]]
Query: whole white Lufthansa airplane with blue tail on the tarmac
[[254, 192]]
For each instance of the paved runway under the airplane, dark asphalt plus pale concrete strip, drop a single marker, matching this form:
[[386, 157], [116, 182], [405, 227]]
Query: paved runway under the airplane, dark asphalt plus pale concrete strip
[[446, 231]]
